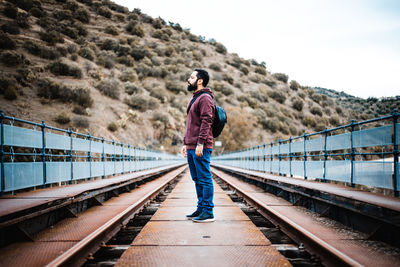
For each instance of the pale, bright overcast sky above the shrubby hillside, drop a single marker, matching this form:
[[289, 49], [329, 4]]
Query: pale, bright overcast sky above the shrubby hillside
[[345, 45]]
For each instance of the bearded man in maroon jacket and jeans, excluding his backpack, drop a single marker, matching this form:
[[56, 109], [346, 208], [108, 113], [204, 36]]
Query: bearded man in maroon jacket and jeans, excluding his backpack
[[198, 143]]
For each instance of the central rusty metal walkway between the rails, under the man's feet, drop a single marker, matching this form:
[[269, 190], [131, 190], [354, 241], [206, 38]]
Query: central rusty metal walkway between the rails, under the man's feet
[[169, 239]]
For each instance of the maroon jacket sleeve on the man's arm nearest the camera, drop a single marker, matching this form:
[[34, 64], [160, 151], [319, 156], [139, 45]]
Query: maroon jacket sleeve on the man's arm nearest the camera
[[206, 105]]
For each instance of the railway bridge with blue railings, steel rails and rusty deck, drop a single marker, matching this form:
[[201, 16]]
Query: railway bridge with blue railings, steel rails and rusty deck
[[329, 198]]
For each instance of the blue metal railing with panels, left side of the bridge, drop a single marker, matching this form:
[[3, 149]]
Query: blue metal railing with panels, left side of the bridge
[[42, 155]]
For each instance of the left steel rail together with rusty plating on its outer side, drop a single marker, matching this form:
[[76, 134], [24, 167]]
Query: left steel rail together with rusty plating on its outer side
[[71, 241]]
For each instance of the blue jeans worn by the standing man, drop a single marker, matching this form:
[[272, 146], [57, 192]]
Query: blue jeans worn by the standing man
[[201, 175]]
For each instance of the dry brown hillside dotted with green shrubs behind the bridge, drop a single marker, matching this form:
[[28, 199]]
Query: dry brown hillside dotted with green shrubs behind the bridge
[[96, 67]]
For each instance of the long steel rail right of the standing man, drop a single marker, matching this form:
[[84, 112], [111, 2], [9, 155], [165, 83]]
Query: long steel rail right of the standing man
[[329, 254]]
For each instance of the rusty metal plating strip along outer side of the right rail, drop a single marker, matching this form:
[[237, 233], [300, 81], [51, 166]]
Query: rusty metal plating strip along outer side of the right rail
[[349, 243]]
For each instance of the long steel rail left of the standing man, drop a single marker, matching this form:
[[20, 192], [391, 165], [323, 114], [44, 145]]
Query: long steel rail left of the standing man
[[77, 254]]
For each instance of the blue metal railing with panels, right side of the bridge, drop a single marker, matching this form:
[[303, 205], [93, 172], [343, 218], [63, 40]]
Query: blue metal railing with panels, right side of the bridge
[[356, 153]]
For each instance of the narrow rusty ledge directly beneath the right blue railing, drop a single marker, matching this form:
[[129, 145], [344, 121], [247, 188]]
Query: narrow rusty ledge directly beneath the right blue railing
[[339, 190]]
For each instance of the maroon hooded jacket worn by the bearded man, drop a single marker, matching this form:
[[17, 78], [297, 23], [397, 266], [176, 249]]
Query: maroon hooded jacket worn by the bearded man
[[199, 121]]
